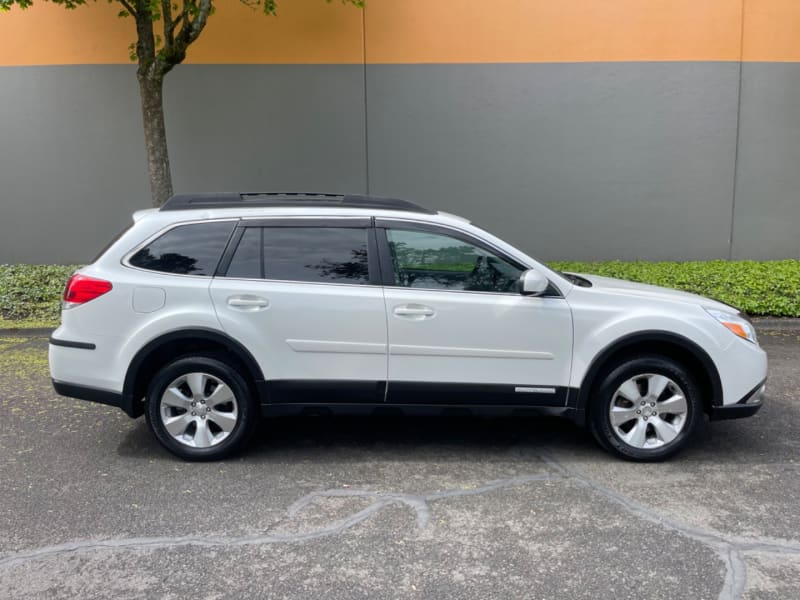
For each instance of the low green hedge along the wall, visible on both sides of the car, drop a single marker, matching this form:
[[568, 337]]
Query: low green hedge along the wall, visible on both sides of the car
[[30, 294]]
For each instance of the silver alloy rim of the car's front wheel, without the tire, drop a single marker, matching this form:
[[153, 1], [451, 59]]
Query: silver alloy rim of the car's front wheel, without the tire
[[648, 411]]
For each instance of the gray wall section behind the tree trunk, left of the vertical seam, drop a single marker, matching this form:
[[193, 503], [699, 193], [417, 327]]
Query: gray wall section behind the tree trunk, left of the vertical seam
[[72, 161]]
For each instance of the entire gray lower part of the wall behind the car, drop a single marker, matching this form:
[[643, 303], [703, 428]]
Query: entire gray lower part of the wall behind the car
[[569, 161]]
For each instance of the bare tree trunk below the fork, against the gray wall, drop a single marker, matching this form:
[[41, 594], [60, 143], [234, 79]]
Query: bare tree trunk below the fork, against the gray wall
[[151, 86]]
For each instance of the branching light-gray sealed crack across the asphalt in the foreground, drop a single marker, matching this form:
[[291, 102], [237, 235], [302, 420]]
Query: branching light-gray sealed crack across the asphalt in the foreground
[[730, 549]]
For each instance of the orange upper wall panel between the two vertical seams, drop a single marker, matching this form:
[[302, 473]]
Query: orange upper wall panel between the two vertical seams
[[477, 31]]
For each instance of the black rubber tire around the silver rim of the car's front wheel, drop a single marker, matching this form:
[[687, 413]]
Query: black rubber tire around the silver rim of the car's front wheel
[[606, 392]]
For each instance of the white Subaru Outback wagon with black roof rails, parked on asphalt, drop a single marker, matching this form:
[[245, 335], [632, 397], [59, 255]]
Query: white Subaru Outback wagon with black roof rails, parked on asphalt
[[217, 309]]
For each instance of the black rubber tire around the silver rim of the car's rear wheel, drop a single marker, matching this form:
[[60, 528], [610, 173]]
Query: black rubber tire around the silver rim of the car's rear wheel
[[242, 410]]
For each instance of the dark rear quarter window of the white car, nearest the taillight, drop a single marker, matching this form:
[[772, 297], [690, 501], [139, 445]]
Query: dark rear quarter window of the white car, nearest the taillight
[[186, 250]]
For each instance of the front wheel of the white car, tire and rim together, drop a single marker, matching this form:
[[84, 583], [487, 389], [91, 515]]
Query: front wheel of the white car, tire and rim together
[[645, 409]]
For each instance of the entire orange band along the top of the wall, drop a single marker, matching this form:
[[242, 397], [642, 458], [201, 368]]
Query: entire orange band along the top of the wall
[[428, 31]]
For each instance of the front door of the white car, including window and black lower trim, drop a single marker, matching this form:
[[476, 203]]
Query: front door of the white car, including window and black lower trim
[[460, 332]]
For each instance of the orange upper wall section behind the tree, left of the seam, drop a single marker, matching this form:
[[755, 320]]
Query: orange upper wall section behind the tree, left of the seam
[[305, 31]]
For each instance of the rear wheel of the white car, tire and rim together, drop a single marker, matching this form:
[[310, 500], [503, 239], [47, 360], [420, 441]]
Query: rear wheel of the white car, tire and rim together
[[200, 408]]
